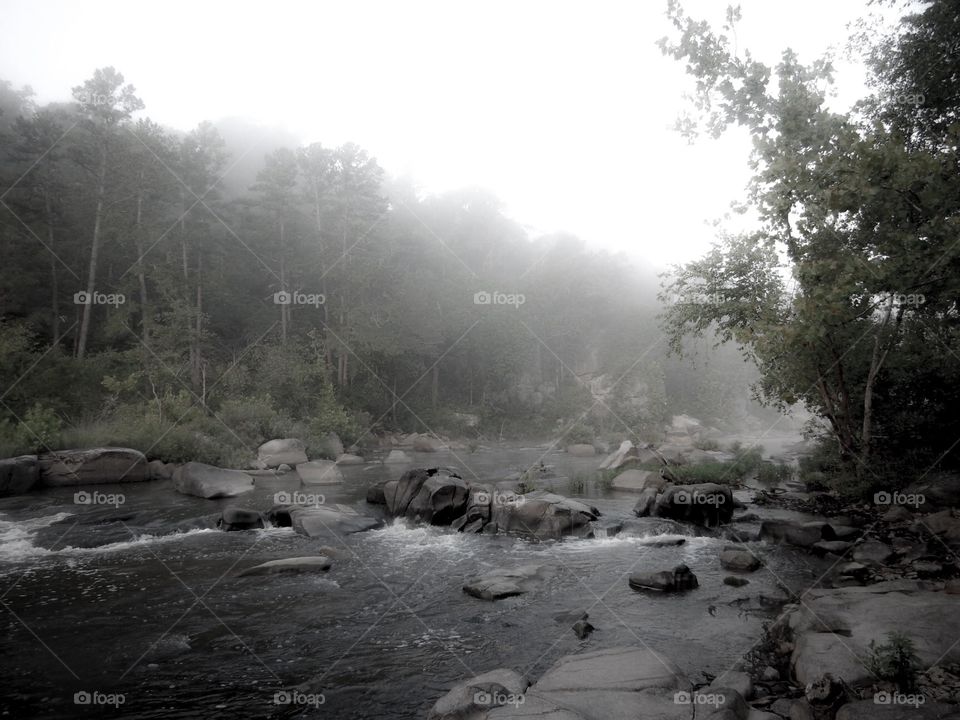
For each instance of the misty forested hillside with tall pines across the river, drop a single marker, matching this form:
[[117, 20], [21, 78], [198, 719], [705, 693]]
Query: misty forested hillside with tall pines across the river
[[159, 291]]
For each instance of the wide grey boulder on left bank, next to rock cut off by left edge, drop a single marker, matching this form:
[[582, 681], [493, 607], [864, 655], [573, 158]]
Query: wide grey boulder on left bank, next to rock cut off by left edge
[[68, 468]]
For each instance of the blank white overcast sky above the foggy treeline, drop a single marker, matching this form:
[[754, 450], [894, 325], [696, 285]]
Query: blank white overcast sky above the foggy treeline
[[562, 109]]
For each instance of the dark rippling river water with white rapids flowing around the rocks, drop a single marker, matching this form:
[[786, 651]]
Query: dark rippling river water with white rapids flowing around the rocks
[[141, 603]]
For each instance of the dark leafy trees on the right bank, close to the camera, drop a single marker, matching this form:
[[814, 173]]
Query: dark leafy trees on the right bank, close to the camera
[[846, 297]]
